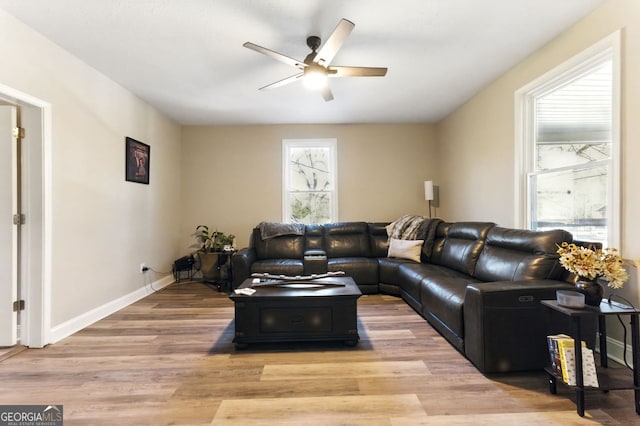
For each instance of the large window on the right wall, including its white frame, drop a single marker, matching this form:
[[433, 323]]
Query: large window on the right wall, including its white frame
[[568, 144]]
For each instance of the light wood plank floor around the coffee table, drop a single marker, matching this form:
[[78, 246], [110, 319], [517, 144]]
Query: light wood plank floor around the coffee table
[[169, 360]]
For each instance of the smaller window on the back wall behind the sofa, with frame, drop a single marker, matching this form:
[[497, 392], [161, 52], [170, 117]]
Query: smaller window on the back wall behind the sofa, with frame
[[310, 178]]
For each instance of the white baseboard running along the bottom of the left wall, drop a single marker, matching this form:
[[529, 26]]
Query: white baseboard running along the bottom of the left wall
[[76, 324]]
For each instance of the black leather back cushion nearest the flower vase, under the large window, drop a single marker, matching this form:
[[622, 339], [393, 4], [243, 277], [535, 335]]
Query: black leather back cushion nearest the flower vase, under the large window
[[518, 254]]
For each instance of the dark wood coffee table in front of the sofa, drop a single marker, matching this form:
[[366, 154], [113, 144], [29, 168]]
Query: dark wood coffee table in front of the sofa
[[284, 312]]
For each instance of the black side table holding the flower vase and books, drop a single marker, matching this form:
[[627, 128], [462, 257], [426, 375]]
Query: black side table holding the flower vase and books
[[606, 378]]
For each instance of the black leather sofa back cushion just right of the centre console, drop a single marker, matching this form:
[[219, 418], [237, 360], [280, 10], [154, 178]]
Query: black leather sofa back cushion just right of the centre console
[[347, 239]]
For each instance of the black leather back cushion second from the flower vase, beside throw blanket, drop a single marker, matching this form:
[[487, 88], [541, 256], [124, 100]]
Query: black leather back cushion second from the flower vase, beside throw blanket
[[461, 247]]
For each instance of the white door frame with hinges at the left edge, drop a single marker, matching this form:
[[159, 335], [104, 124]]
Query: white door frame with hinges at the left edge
[[36, 233]]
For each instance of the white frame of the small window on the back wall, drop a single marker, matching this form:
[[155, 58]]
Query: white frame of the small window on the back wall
[[332, 144]]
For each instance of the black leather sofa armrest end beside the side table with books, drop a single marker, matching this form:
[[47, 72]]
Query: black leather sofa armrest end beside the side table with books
[[505, 325]]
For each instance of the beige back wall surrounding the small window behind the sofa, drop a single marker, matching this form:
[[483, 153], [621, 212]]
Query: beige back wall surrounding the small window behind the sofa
[[233, 174]]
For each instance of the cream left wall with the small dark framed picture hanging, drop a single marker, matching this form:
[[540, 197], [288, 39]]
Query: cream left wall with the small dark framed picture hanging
[[102, 226]]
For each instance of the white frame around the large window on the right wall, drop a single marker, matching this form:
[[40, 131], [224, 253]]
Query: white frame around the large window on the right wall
[[608, 48]]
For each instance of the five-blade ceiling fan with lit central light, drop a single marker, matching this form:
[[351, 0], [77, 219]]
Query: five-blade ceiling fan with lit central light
[[316, 66]]
